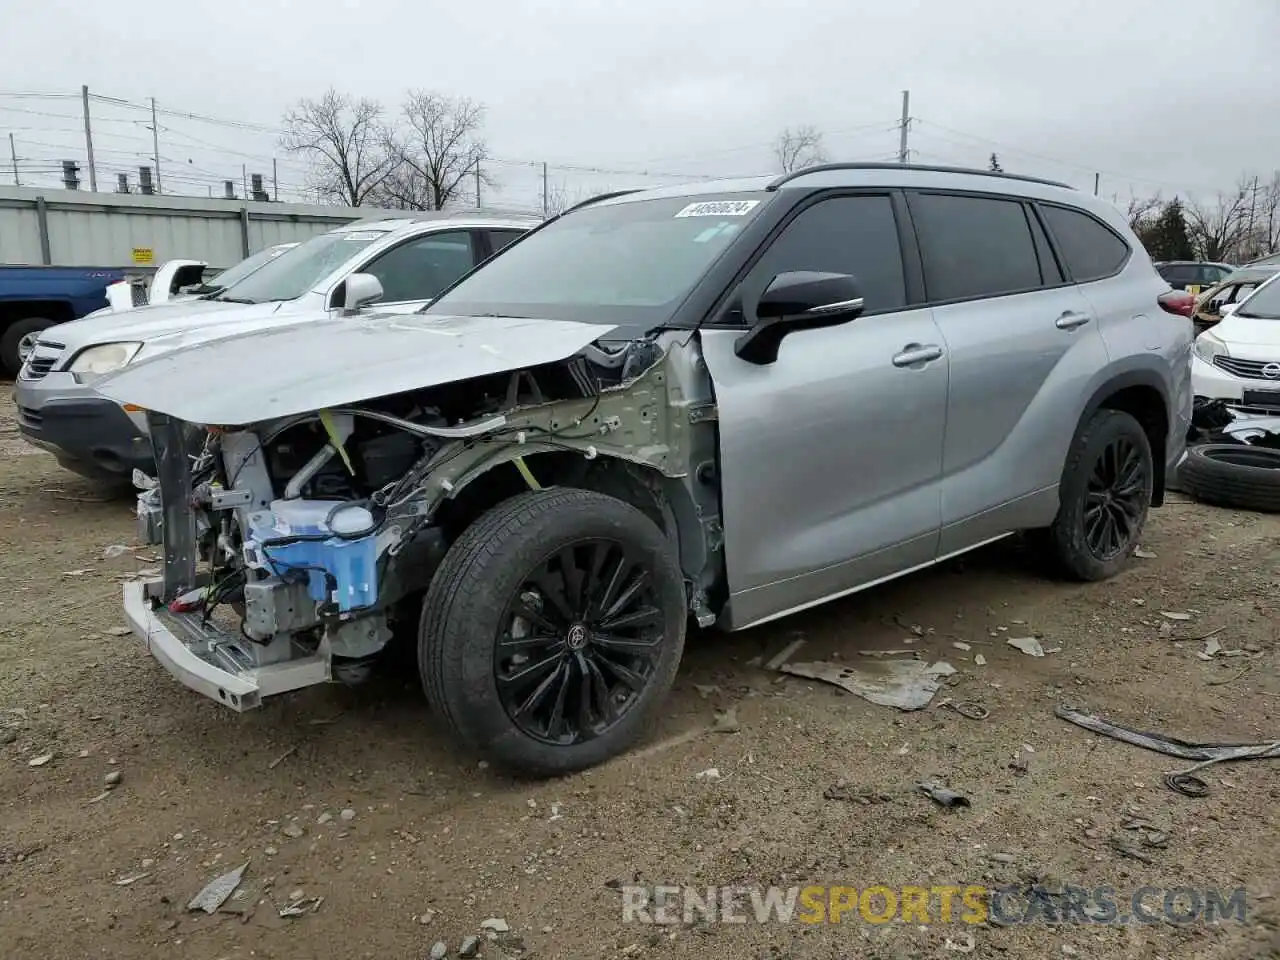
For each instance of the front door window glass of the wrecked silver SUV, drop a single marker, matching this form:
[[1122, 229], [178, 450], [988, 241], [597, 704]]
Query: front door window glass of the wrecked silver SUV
[[856, 236]]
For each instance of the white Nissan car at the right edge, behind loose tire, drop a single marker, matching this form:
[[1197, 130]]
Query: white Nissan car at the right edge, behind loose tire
[[1238, 360]]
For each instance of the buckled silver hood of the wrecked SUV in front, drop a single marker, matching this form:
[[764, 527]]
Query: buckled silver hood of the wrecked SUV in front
[[307, 367]]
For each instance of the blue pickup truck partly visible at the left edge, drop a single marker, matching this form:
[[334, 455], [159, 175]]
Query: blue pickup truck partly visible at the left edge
[[35, 298]]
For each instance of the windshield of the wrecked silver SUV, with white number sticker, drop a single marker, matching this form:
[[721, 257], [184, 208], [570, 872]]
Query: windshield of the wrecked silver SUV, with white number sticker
[[629, 264]]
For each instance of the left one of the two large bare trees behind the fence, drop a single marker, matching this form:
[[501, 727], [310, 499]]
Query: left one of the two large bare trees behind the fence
[[344, 140]]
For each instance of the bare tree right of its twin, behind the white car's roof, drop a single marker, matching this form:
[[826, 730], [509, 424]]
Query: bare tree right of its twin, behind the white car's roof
[[437, 154]]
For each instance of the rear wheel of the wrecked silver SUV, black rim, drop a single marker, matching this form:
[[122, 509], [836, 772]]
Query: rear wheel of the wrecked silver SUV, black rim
[[1085, 505]]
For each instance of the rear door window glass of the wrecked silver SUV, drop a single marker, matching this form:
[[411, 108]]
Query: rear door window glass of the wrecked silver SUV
[[975, 246]]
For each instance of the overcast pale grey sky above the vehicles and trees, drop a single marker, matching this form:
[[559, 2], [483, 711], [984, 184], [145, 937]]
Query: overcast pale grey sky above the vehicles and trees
[[1178, 97]]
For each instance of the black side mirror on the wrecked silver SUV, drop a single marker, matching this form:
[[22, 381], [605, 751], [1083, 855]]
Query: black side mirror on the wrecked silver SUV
[[801, 300]]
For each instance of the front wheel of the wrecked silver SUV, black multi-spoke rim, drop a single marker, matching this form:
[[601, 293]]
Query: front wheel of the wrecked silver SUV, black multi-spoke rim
[[490, 573]]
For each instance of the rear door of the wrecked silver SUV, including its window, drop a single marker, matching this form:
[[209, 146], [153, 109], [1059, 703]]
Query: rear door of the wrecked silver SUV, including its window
[[1021, 339]]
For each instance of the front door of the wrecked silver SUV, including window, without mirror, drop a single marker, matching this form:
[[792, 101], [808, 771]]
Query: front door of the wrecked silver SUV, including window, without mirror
[[831, 456]]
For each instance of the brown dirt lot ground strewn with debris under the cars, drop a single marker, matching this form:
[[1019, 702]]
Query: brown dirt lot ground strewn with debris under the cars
[[436, 844]]
